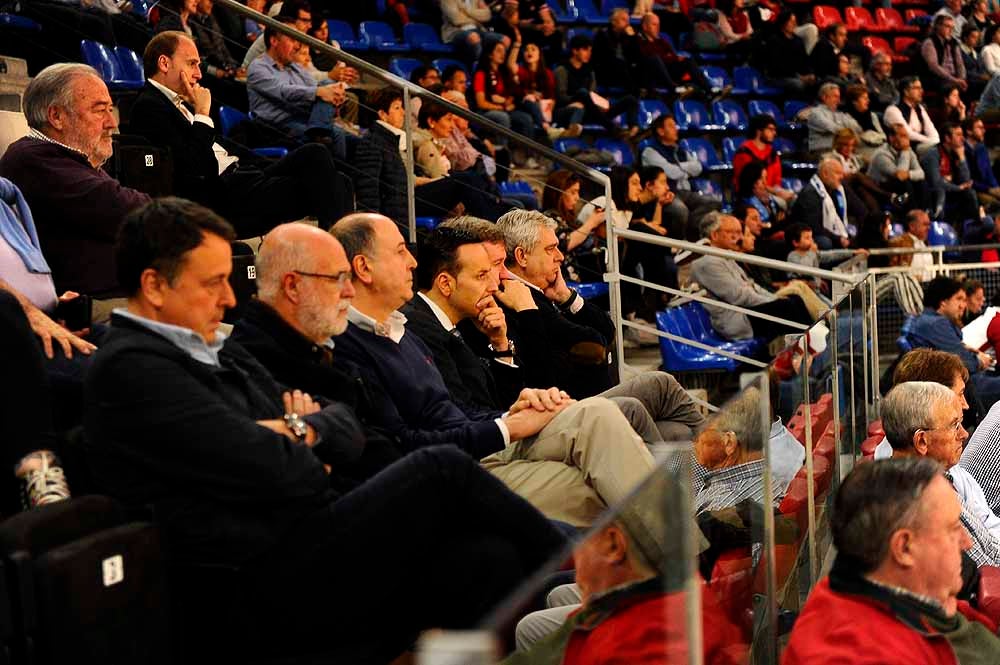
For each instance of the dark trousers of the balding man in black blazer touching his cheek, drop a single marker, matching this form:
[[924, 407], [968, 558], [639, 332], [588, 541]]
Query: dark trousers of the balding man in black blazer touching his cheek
[[304, 183]]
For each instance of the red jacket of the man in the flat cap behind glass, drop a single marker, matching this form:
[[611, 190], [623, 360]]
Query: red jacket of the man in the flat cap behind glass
[[651, 631]]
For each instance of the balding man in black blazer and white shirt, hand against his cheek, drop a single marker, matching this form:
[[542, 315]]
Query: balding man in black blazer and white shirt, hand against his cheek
[[172, 111]]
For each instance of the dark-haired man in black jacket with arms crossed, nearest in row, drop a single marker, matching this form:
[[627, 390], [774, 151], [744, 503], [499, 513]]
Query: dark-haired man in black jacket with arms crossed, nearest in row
[[234, 469]]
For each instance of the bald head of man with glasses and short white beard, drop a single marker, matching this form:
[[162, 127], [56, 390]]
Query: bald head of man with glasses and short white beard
[[304, 275]]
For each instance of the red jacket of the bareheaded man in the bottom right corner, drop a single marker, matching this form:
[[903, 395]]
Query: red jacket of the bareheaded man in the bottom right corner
[[839, 628]]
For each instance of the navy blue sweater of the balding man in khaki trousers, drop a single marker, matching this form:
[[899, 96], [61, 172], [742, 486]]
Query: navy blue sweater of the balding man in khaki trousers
[[420, 411]]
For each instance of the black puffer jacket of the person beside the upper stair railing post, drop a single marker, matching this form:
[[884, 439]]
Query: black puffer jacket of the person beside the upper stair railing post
[[380, 178]]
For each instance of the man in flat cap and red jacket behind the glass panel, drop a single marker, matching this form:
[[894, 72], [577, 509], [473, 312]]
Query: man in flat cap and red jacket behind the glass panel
[[627, 601]]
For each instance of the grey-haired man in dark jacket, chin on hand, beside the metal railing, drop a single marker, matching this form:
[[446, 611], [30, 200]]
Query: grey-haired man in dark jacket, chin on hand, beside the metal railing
[[578, 333]]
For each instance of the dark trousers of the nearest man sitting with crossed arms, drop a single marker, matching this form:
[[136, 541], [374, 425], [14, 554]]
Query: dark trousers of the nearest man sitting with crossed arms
[[432, 541]]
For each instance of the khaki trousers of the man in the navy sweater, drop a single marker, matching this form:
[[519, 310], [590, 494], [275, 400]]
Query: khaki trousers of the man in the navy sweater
[[587, 458]]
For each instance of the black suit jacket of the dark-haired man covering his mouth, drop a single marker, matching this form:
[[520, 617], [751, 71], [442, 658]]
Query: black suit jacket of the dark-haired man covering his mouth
[[471, 378]]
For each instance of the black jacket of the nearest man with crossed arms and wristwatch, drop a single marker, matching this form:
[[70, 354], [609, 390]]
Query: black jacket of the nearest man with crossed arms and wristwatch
[[167, 431]]
